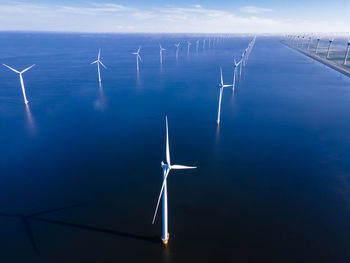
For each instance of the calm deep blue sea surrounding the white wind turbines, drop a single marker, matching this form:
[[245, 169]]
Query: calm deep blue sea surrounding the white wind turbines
[[80, 168]]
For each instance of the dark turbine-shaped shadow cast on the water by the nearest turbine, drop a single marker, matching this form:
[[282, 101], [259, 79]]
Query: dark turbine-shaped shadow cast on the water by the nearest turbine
[[35, 216]]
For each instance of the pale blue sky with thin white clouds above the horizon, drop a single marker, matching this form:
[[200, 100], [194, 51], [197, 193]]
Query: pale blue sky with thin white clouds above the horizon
[[180, 16]]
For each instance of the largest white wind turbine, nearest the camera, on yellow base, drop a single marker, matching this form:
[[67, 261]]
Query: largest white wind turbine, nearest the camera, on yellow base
[[163, 190]]
